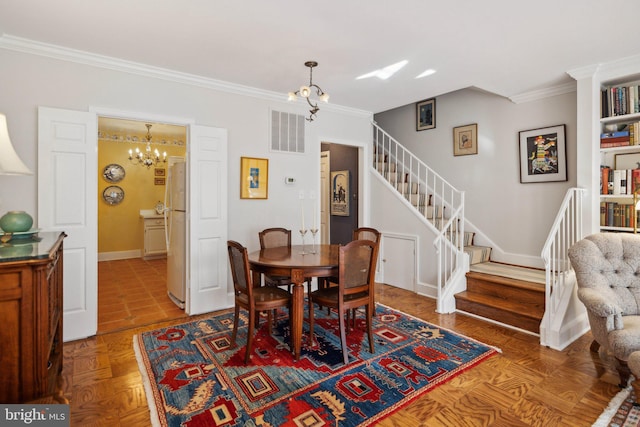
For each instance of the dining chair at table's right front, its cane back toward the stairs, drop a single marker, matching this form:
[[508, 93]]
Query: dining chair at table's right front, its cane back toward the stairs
[[356, 275]]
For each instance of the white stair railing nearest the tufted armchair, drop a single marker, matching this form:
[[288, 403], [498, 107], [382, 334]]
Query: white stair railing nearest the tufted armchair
[[566, 230]]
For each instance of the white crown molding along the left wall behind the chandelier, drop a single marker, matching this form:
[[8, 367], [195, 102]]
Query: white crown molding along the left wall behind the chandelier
[[34, 47]]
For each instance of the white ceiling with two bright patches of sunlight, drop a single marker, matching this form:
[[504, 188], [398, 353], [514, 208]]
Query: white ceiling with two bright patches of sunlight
[[505, 47]]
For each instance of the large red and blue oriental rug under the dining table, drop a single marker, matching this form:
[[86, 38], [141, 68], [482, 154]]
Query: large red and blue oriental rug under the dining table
[[194, 378]]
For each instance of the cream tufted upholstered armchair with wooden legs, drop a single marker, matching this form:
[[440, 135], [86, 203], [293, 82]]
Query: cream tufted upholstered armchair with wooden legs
[[607, 267]]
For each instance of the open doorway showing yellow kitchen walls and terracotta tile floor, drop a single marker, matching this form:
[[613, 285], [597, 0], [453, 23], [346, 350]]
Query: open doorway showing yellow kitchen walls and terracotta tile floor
[[132, 265]]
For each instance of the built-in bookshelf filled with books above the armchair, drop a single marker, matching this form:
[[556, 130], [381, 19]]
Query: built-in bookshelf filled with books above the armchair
[[619, 155]]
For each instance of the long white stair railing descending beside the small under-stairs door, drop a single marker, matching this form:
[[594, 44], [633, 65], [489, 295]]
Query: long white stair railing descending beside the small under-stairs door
[[421, 186]]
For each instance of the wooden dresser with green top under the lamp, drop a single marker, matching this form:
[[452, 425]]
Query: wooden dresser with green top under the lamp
[[31, 317]]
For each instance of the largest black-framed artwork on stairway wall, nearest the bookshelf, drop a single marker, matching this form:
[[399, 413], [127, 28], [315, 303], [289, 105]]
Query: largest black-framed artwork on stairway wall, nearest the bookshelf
[[543, 155]]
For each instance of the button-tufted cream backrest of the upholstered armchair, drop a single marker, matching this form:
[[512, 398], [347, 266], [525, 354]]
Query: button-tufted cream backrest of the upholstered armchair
[[609, 263]]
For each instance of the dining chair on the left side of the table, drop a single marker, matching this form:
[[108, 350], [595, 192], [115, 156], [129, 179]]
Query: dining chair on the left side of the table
[[253, 299]]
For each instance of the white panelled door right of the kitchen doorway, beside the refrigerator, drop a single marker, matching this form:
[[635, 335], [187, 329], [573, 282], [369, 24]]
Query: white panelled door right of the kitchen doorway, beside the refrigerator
[[207, 227]]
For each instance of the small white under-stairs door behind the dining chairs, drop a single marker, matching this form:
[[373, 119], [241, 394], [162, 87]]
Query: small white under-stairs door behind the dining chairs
[[398, 261]]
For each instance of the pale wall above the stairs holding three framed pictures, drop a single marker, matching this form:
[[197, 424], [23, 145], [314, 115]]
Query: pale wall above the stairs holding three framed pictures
[[514, 217]]
